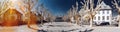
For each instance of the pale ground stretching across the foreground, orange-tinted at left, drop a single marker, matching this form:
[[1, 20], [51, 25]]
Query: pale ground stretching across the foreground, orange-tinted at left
[[59, 27]]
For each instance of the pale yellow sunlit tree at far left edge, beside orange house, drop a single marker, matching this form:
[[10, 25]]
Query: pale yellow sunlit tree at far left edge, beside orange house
[[4, 6]]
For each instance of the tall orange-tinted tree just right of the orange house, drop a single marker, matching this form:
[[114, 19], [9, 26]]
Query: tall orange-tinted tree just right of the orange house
[[28, 16]]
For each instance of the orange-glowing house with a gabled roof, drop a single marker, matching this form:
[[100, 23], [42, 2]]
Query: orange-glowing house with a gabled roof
[[11, 18]]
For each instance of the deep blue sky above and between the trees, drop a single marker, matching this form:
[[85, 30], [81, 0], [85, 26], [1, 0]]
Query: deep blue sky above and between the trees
[[60, 7]]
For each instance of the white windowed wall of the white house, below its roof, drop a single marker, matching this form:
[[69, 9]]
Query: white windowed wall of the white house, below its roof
[[103, 16]]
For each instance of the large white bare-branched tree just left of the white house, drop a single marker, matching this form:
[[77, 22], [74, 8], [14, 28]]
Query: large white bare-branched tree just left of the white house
[[89, 10]]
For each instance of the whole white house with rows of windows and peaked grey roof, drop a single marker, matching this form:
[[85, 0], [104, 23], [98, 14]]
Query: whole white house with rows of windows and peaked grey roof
[[104, 15]]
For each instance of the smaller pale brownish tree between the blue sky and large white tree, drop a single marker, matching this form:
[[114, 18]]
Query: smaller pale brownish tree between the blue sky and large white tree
[[73, 13]]
